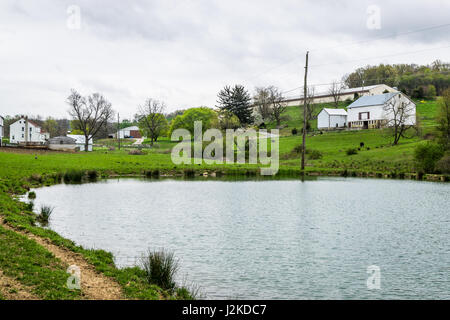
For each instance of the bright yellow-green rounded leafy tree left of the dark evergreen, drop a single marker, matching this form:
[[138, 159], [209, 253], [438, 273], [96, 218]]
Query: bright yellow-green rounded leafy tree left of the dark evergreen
[[207, 116]]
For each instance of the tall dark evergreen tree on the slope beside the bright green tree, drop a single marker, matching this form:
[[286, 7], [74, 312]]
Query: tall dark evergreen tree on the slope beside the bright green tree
[[236, 100]]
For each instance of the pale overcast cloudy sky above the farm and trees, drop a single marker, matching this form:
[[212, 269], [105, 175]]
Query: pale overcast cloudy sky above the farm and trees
[[184, 52]]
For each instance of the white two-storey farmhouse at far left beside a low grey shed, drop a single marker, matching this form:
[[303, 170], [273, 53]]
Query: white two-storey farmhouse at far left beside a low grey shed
[[25, 131]]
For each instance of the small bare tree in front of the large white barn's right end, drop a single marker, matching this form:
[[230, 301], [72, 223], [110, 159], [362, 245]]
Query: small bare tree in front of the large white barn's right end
[[400, 116]]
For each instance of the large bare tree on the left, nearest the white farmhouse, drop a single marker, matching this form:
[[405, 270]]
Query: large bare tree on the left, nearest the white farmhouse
[[91, 114]]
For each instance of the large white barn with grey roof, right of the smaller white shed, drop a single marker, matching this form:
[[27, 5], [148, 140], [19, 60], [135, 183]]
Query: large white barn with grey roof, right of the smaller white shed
[[376, 111]]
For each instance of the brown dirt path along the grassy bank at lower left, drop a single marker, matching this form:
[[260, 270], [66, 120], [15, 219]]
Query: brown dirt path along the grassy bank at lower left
[[94, 285]]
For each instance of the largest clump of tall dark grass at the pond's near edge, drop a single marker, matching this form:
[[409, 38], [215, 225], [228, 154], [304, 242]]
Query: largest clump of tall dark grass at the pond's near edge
[[160, 268]]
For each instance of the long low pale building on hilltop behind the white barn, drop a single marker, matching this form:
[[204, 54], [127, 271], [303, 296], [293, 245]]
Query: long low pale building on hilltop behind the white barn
[[351, 93]]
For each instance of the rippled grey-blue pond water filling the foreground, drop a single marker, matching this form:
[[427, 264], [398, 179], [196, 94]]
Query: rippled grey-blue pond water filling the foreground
[[275, 239]]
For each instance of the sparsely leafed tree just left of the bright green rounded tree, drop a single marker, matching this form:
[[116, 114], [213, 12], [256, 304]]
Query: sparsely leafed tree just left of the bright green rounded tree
[[152, 120]]
